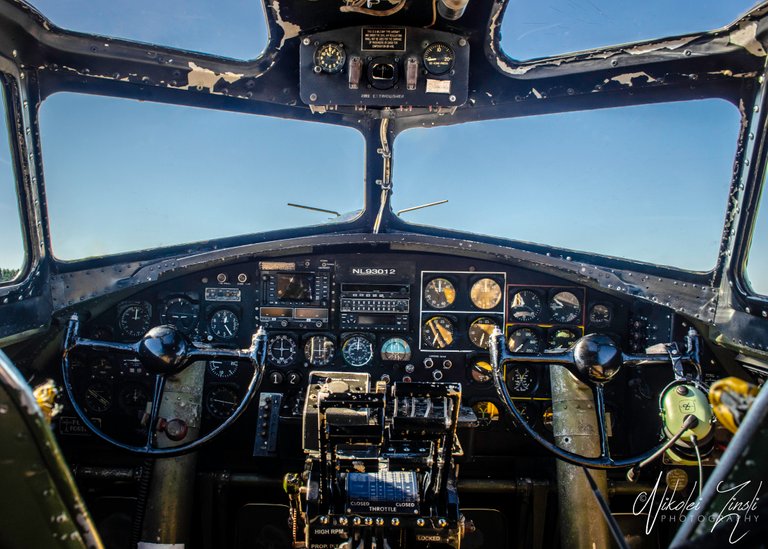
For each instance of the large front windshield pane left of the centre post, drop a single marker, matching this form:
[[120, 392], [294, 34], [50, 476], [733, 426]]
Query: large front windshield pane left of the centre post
[[124, 175]]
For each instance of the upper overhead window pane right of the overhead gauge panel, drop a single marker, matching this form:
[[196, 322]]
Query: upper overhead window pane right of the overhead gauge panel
[[542, 28]]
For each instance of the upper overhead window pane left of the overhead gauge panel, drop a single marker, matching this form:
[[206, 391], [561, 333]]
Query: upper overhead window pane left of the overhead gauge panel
[[230, 28]]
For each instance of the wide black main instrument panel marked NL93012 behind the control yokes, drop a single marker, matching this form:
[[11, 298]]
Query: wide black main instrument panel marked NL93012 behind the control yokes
[[395, 316]]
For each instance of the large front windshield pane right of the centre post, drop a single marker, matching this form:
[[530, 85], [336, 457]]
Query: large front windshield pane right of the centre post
[[648, 182]]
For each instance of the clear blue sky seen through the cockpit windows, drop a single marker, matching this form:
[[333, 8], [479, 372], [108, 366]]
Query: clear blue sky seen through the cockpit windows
[[206, 175]]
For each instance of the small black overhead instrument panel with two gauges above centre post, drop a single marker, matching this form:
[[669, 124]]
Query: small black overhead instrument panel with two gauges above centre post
[[380, 66]]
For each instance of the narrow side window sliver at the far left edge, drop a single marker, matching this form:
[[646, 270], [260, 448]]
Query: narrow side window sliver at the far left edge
[[11, 239]]
